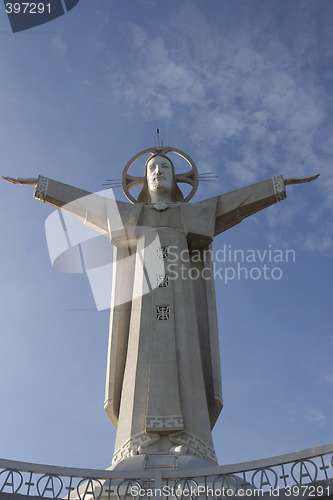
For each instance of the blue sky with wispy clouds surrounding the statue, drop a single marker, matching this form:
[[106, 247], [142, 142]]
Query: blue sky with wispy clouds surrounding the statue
[[245, 88]]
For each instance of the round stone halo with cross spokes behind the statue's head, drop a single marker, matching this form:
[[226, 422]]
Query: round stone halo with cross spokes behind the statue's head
[[191, 177]]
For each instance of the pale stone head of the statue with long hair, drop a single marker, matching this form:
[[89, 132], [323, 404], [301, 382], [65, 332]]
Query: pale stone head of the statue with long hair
[[160, 181]]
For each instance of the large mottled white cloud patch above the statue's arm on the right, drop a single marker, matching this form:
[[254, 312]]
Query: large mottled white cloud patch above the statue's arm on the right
[[246, 92]]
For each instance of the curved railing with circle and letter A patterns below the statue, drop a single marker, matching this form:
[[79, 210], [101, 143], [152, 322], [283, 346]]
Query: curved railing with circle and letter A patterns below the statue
[[303, 474]]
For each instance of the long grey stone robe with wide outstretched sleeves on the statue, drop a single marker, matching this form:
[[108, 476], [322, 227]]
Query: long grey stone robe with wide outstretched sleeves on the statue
[[163, 385]]
